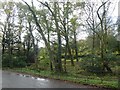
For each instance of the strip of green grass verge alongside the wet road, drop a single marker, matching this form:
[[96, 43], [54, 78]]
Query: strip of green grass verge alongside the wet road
[[108, 80]]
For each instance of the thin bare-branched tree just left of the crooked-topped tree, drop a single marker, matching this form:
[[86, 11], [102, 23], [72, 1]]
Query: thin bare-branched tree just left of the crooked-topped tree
[[91, 24]]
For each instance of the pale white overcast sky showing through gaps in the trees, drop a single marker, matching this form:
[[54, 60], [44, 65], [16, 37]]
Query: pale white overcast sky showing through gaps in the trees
[[82, 35]]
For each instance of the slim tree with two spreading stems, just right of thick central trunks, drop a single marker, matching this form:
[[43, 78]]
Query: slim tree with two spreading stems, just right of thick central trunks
[[65, 23]]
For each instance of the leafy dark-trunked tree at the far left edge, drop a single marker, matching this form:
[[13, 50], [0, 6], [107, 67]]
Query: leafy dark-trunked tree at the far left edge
[[8, 38]]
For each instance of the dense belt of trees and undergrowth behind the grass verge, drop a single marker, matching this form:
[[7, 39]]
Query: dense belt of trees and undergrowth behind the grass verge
[[25, 26]]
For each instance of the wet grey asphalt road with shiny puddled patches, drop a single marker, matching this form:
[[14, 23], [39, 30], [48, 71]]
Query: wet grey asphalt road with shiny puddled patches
[[15, 80]]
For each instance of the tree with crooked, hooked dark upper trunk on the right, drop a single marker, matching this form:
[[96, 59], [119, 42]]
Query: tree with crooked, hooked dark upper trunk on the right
[[103, 41]]
